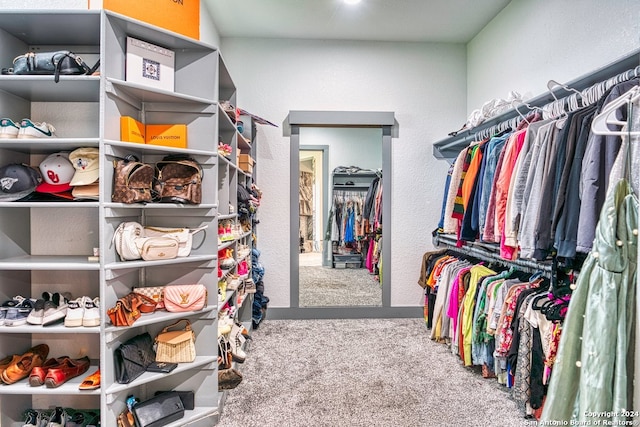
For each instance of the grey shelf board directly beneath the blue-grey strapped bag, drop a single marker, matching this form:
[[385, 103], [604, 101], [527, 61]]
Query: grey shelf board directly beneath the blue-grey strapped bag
[[43, 88]]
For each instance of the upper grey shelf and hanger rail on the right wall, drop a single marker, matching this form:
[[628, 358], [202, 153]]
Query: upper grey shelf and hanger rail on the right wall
[[449, 148]]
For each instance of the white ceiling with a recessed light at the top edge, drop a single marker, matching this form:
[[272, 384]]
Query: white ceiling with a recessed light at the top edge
[[450, 21]]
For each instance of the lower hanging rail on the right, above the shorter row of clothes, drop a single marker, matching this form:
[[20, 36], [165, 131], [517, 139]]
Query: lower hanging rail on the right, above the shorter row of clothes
[[489, 253]]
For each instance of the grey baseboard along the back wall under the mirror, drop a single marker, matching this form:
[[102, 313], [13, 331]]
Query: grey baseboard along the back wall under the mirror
[[343, 313]]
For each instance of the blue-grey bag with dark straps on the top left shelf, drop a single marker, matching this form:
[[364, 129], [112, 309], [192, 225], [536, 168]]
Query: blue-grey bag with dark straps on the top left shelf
[[57, 63]]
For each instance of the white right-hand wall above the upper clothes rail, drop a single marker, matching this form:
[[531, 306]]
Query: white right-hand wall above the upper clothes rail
[[531, 42]]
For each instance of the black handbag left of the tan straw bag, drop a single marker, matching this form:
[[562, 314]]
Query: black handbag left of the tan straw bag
[[132, 358]]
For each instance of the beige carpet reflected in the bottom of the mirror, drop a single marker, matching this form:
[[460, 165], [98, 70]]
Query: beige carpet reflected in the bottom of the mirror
[[330, 287]]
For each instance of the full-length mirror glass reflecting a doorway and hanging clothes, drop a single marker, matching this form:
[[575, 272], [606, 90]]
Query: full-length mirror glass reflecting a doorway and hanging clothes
[[340, 216]]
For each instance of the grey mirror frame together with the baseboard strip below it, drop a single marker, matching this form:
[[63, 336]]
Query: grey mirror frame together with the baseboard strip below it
[[335, 119]]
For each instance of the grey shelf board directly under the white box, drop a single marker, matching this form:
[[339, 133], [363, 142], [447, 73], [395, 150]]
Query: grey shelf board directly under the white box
[[157, 99]]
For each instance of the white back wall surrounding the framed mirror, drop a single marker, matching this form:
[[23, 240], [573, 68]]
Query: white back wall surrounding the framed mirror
[[424, 84]]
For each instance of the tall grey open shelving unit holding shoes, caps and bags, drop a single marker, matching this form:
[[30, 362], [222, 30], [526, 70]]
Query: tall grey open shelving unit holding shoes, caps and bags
[[45, 246]]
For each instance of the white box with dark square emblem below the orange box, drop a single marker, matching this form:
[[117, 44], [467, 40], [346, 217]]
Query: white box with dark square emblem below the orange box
[[149, 64]]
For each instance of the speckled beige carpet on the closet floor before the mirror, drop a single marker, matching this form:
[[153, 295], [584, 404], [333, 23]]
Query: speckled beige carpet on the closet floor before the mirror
[[365, 372]]
